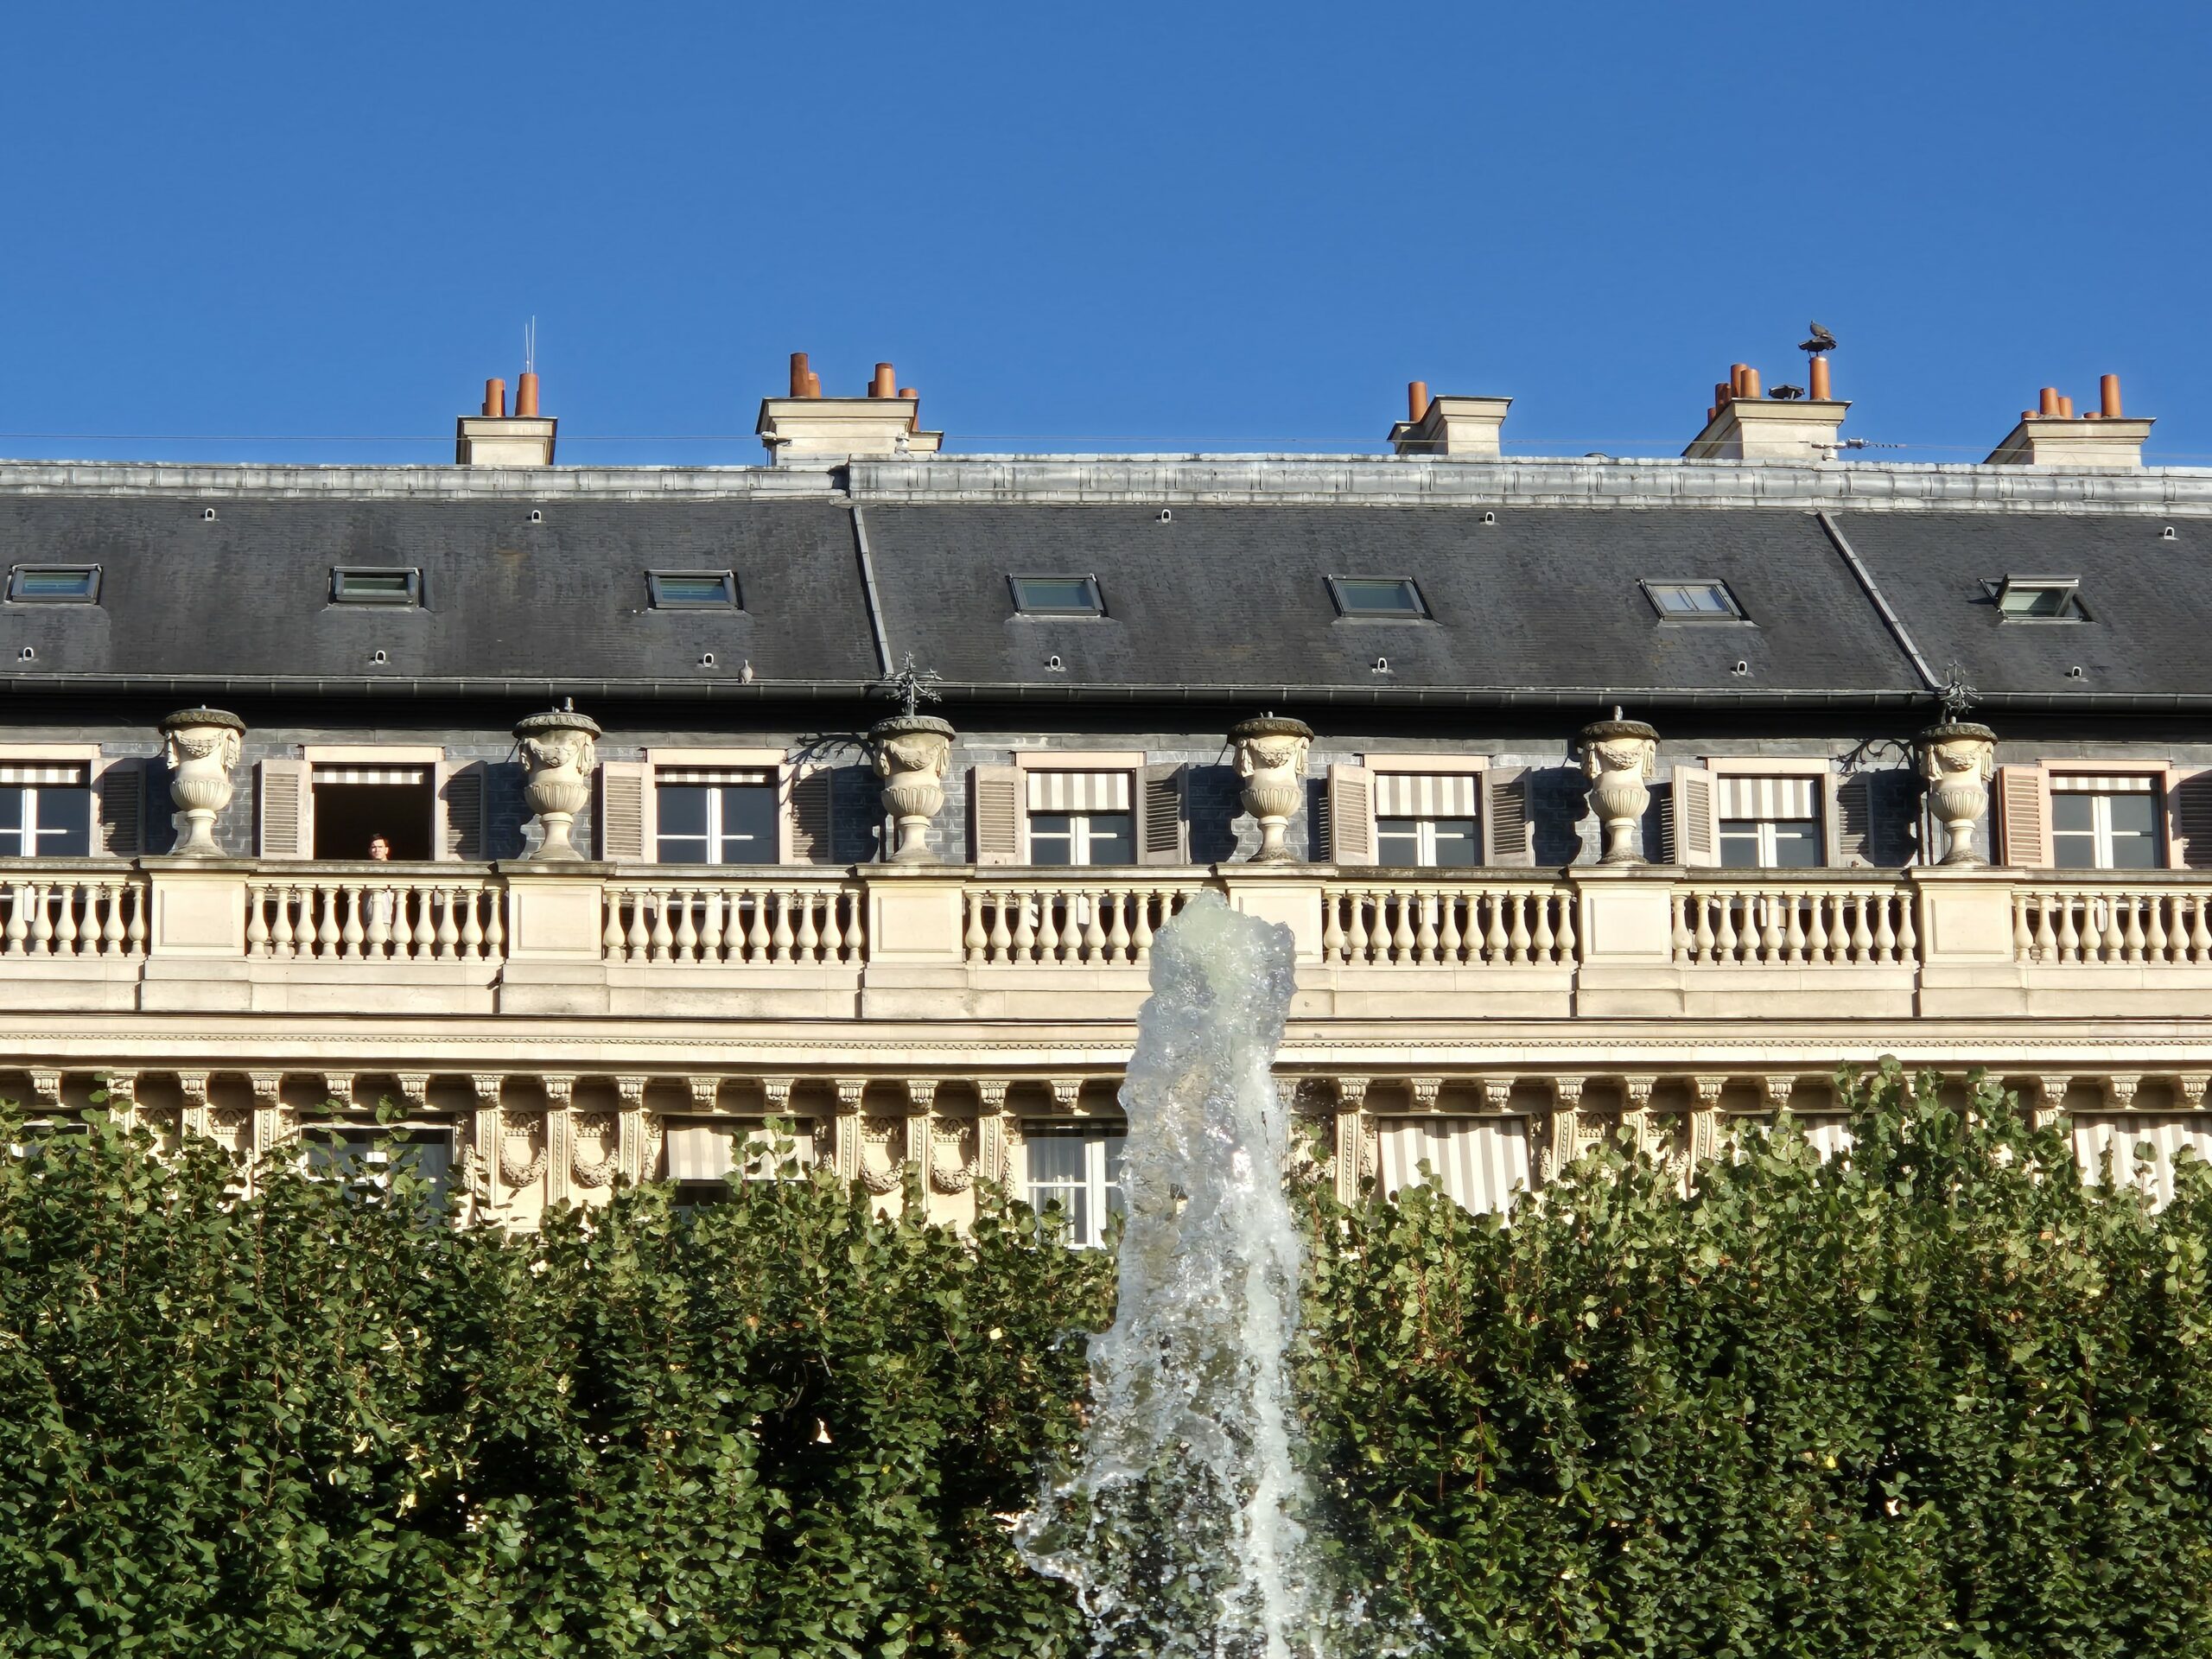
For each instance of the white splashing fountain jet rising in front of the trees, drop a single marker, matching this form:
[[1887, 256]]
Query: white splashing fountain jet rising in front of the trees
[[1180, 1532]]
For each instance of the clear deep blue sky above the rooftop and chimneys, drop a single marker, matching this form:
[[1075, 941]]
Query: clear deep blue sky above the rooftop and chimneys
[[1107, 227]]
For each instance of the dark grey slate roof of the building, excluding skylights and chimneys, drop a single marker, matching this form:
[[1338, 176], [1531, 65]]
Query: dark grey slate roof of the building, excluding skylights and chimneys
[[1859, 583]]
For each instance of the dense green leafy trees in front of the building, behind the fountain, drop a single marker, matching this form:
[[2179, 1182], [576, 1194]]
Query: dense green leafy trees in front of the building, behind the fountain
[[1941, 1399]]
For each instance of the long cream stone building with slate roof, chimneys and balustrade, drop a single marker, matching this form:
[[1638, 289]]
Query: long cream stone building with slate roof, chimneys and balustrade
[[1594, 793]]
